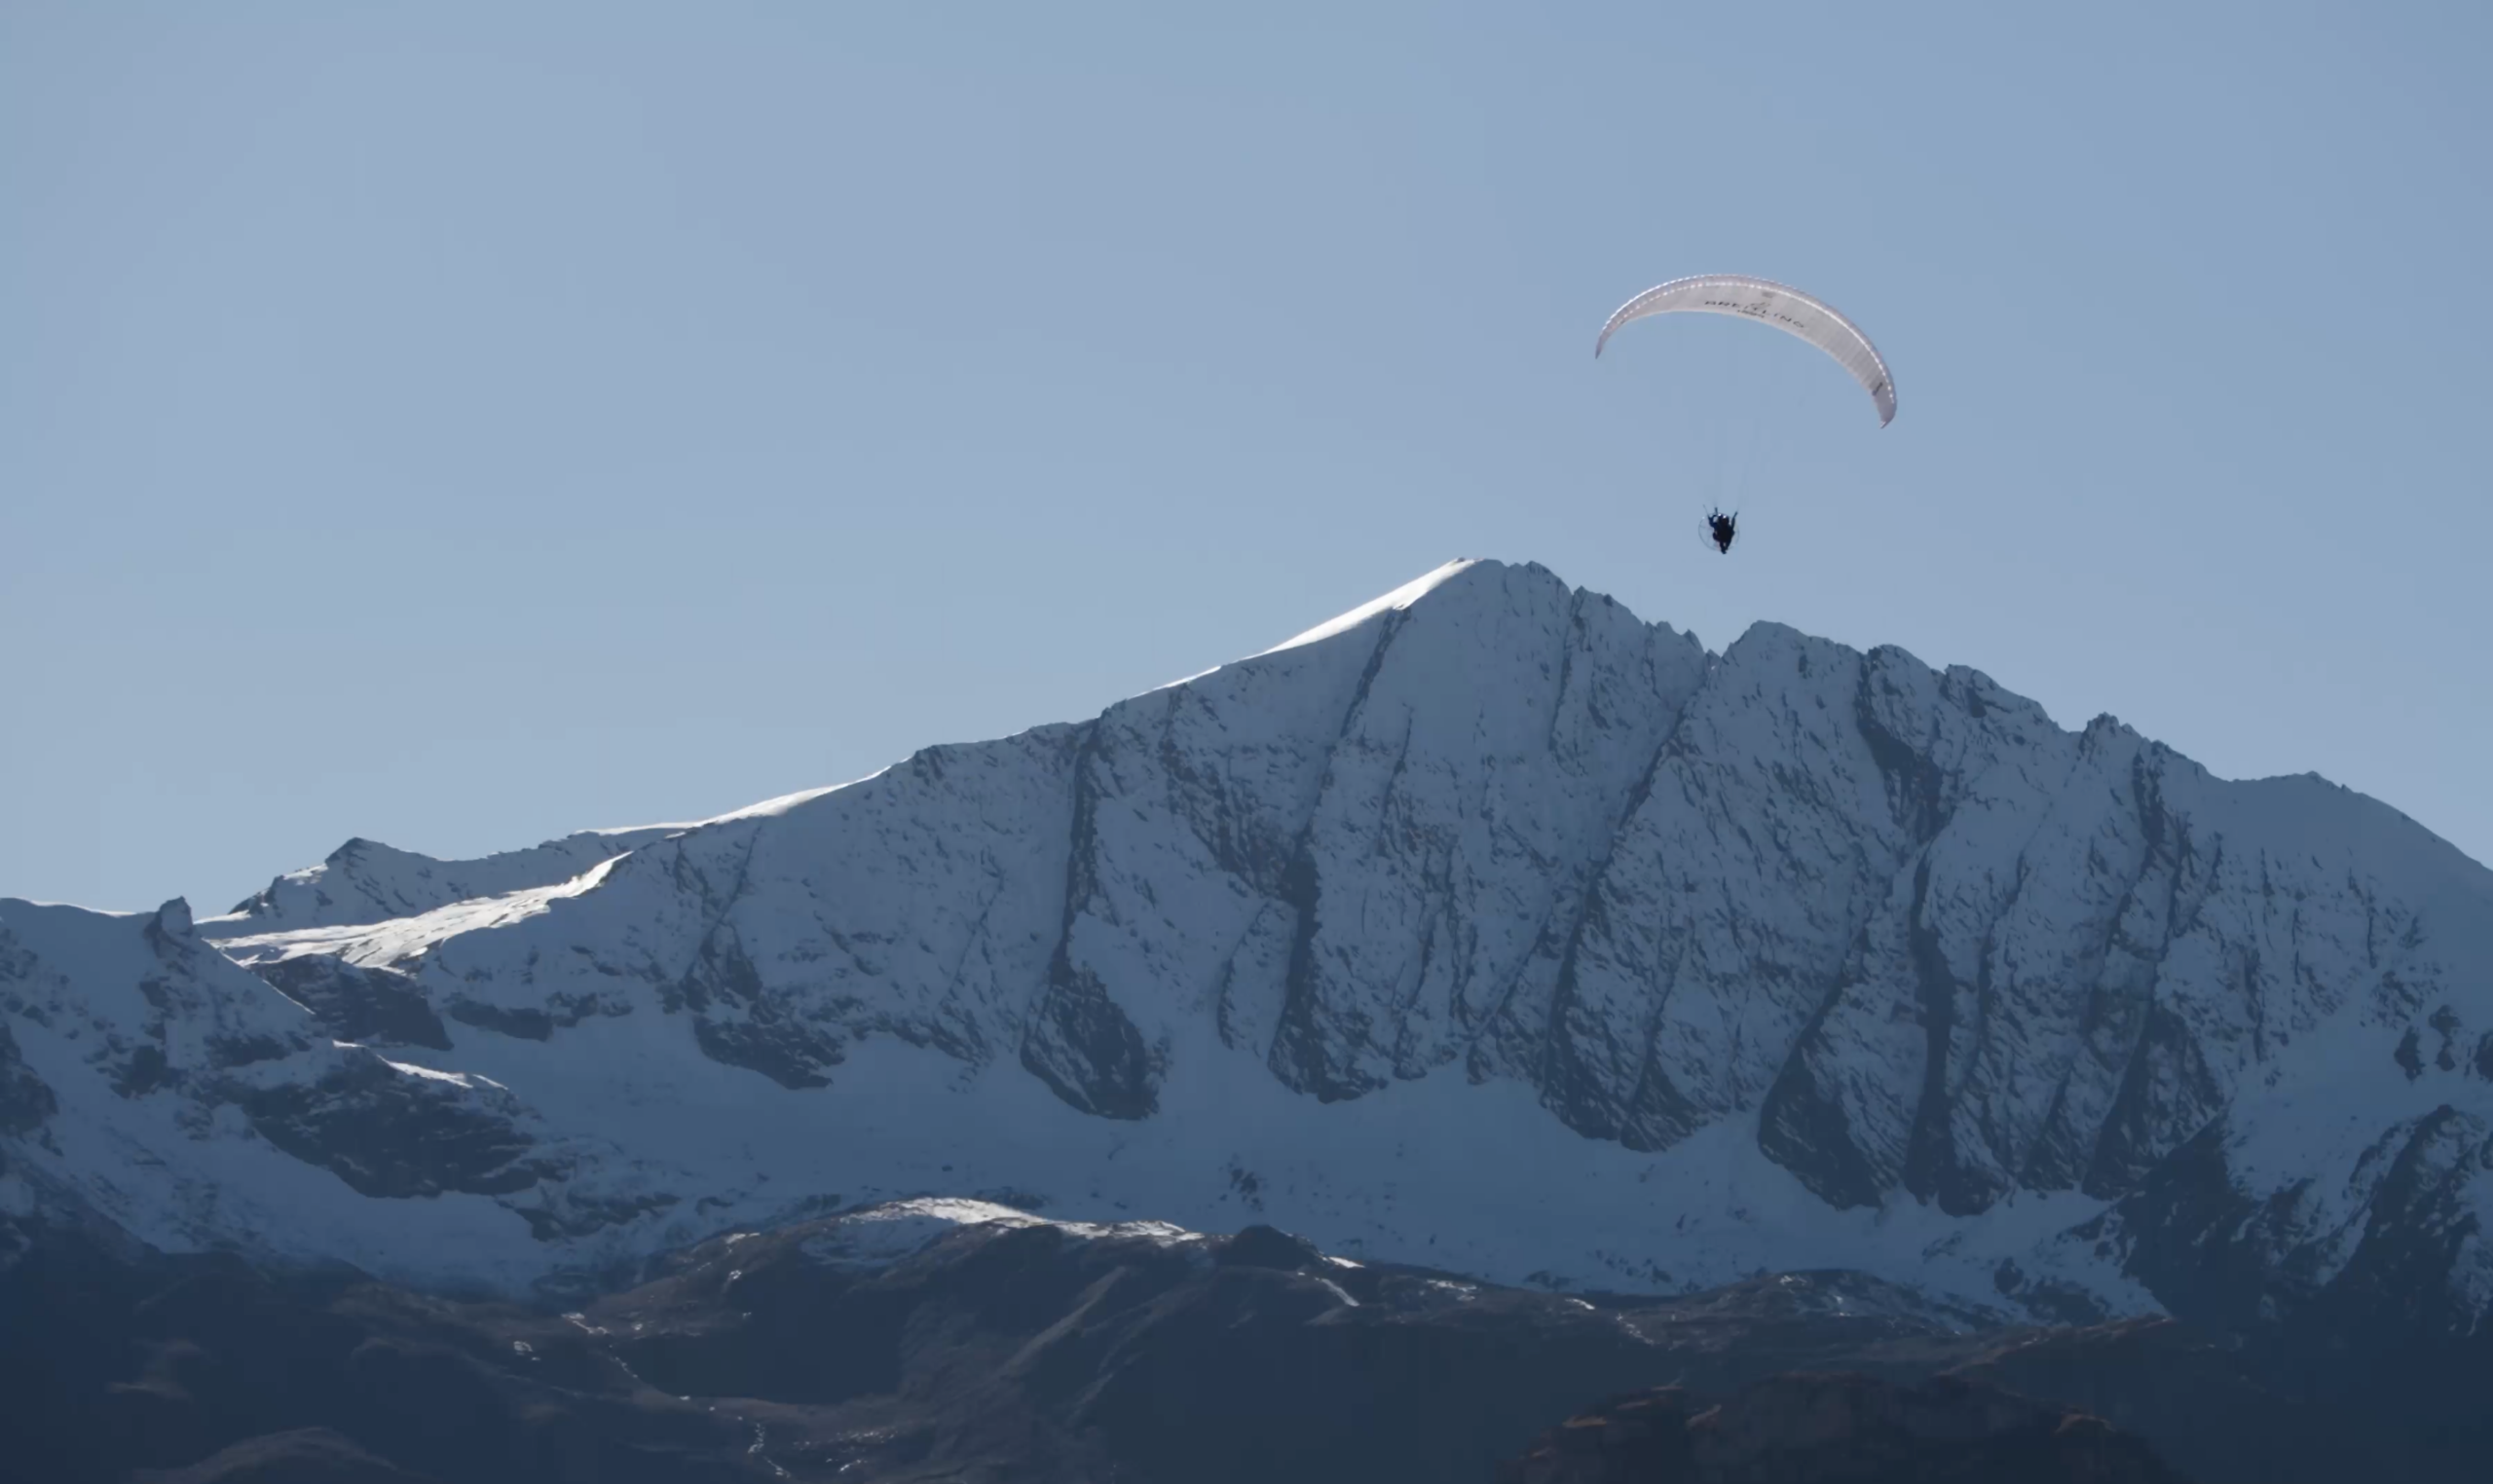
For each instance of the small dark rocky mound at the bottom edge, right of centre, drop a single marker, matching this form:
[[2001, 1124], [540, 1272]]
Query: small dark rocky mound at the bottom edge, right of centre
[[1836, 1430]]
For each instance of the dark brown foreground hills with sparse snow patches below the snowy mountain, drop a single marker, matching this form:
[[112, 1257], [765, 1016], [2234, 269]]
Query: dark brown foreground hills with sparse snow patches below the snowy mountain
[[1053, 1356]]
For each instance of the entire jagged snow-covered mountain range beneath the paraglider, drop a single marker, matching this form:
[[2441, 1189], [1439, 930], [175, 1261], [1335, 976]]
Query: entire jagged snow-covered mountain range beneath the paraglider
[[1485, 927]]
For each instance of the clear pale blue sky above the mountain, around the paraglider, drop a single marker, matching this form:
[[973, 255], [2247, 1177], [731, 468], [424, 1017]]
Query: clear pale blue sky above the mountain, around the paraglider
[[460, 425]]
